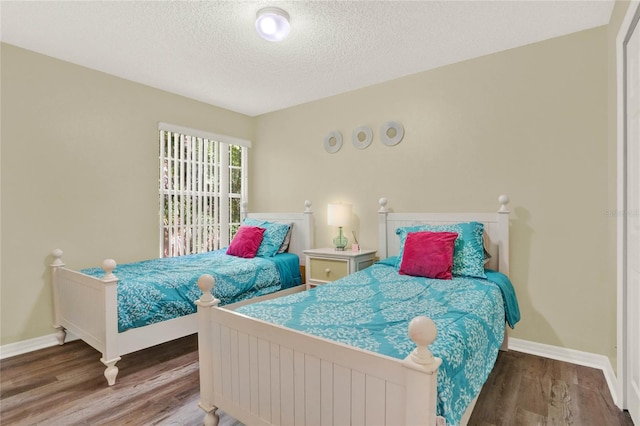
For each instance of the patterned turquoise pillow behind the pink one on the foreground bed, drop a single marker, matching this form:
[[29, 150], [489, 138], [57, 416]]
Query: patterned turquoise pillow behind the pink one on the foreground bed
[[468, 252]]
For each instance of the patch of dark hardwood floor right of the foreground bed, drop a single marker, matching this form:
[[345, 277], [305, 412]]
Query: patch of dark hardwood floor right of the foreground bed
[[526, 389]]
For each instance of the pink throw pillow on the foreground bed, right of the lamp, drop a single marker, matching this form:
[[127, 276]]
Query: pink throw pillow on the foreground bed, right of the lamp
[[428, 254]]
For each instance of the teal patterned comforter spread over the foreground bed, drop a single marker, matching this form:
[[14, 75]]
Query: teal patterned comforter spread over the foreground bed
[[371, 310]]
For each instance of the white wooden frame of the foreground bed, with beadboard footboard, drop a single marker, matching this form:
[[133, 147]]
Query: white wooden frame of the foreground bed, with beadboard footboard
[[264, 374]]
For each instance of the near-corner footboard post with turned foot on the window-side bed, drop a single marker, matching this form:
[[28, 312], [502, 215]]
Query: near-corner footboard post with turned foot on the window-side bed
[[110, 355]]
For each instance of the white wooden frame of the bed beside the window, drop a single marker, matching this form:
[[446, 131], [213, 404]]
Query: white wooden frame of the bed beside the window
[[87, 306]]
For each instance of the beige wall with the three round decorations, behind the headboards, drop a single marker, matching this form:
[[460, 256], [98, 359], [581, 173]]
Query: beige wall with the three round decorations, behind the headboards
[[529, 122]]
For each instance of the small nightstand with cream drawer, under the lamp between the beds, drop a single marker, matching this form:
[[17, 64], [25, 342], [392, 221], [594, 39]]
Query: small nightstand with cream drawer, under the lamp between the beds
[[327, 264]]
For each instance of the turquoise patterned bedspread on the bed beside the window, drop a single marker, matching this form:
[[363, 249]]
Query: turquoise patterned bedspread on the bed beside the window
[[160, 289]]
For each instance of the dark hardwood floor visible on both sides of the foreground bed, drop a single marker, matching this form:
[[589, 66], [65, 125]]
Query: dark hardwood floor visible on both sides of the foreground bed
[[64, 385]]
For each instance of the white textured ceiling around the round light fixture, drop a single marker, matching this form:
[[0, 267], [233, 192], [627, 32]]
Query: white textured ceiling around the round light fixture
[[210, 51]]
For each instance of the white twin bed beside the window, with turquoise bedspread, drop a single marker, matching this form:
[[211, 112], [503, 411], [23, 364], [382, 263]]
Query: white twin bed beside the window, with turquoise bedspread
[[120, 314]]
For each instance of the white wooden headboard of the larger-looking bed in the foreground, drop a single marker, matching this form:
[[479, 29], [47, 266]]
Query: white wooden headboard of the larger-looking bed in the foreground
[[496, 228]]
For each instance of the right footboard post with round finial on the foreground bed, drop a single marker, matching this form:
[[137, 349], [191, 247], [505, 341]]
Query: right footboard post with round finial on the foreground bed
[[422, 374]]
